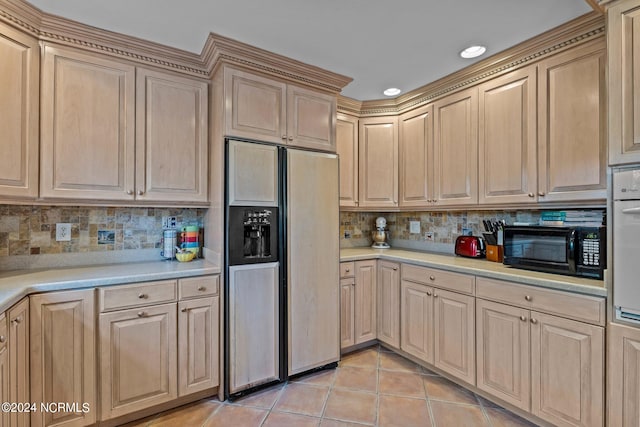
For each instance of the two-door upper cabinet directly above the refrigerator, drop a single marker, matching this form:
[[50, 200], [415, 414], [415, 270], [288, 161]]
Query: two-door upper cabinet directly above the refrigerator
[[268, 110]]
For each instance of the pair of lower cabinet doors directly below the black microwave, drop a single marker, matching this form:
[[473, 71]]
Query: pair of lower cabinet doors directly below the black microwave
[[565, 359]]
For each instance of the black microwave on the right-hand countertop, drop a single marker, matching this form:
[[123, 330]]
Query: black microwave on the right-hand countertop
[[575, 251]]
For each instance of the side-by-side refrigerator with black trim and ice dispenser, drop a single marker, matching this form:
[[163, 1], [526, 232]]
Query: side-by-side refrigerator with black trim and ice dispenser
[[282, 264]]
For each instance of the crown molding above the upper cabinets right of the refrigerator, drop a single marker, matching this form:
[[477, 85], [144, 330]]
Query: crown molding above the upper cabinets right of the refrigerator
[[590, 26]]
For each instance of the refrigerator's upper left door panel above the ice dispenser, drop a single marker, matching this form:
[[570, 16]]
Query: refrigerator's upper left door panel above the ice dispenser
[[253, 174]]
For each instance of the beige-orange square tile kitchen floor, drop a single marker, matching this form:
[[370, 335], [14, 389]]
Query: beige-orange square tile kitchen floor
[[371, 387]]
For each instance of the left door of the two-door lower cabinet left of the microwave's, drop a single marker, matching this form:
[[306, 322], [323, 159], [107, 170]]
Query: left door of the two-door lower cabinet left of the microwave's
[[416, 310]]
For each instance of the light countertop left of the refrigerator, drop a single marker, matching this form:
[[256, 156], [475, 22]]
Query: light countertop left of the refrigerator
[[14, 285]]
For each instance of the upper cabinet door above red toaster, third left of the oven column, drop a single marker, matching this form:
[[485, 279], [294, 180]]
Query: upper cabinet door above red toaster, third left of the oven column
[[455, 153]]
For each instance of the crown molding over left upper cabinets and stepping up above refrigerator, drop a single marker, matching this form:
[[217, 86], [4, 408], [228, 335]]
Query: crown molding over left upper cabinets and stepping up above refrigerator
[[217, 49]]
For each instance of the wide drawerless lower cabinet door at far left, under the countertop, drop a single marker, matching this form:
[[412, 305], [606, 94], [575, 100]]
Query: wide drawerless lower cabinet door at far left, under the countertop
[[63, 359]]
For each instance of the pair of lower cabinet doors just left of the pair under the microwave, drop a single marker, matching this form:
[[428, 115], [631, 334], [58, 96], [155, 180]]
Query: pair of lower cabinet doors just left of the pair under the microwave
[[437, 326]]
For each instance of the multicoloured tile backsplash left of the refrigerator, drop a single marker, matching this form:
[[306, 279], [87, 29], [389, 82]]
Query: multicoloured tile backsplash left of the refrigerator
[[31, 230]]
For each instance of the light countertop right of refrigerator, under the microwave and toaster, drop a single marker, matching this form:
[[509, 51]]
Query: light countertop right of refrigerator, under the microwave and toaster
[[480, 268]]
